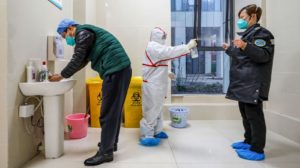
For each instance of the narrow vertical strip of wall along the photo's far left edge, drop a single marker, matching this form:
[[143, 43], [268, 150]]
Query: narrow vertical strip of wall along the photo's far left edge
[[3, 85]]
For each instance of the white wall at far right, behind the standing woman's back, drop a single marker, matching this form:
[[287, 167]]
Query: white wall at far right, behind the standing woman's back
[[283, 114]]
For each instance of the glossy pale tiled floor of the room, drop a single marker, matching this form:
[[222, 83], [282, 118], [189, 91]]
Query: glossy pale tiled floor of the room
[[204, 144]]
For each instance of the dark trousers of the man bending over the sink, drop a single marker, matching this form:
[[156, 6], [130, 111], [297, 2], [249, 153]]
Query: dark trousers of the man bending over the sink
[[114, 91]]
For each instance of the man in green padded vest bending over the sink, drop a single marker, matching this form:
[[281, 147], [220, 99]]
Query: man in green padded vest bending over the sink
[[110, 60]]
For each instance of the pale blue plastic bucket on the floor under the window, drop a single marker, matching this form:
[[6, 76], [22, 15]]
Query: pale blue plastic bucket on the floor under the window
[[179, 116]]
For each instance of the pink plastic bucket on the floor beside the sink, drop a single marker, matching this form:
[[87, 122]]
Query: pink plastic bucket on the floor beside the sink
[[77, 125]]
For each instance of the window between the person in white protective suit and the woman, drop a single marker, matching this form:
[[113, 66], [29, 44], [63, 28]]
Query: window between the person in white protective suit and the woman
[[207, 74]]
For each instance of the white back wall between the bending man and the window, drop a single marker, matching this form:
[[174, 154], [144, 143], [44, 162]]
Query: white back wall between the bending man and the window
[[131, 22]]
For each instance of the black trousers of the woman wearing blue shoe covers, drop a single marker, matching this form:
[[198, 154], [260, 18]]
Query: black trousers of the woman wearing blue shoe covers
[[254, 124]]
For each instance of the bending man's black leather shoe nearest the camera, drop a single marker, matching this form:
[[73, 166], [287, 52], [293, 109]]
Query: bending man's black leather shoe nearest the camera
[[99, 158]]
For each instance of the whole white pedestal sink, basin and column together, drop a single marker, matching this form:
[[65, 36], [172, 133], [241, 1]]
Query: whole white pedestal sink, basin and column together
[[53, 105]]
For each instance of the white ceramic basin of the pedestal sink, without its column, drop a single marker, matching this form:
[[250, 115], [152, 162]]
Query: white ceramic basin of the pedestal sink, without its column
[[47, 88]]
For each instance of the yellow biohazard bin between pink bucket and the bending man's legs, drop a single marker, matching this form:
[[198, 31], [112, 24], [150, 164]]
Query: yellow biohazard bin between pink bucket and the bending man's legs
[[94, 86]]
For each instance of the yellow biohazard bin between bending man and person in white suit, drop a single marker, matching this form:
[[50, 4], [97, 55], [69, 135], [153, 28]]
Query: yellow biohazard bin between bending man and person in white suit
[[133, 103]]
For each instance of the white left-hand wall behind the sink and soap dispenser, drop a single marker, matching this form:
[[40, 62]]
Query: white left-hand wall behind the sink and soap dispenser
[[29, 23]]
